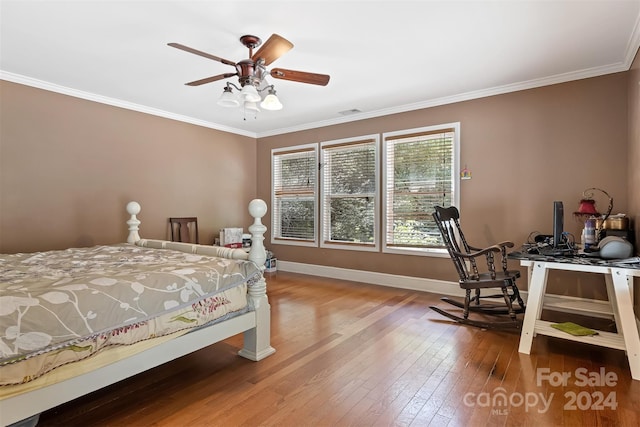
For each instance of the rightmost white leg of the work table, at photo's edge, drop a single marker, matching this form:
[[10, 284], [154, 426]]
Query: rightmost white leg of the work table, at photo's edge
[[622, 284]]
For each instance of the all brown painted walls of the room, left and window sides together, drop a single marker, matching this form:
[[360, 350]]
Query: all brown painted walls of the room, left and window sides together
[[69, 166]]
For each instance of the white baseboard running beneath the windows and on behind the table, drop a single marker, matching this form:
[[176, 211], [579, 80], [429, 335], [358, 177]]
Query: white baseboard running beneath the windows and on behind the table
[[442, 287]]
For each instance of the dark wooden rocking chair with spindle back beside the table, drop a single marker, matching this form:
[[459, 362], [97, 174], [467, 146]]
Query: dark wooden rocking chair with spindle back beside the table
[[471, 278]]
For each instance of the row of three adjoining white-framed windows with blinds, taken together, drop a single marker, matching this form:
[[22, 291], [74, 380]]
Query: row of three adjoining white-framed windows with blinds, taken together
[[329, 194]]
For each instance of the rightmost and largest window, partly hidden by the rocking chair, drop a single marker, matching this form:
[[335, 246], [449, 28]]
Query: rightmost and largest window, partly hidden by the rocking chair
[[419, 172]]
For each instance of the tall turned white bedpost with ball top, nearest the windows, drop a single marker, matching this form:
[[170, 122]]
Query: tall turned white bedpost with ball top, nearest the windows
[[257, 341]]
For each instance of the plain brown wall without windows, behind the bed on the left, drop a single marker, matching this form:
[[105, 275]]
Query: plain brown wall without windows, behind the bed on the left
[[69, 166]]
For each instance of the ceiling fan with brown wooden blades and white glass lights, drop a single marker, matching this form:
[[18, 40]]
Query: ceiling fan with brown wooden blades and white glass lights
[[252, 72]]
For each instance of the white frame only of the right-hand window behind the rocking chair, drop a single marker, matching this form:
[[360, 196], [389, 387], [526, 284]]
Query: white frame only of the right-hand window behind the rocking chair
[[455, 178]]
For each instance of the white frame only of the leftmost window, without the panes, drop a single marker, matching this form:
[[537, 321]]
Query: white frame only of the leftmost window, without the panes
[[275, 226]]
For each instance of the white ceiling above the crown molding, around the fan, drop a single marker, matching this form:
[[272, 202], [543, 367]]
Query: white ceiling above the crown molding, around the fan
[[383, 56]]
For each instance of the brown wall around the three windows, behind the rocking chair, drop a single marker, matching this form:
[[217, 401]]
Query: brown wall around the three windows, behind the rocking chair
[[525, 150]]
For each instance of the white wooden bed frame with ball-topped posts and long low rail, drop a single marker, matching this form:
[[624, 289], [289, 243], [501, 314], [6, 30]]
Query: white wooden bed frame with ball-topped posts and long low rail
[[256, 326]]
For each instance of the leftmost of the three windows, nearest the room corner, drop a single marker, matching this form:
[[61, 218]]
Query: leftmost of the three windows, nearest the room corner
[[294, 174]]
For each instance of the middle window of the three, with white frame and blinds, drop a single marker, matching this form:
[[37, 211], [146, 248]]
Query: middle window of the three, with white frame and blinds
[[349, 193]]
